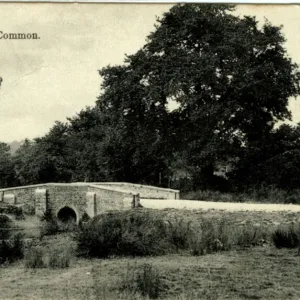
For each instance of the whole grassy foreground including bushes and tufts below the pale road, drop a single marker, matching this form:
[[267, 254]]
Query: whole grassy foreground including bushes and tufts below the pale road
[[168, 254]]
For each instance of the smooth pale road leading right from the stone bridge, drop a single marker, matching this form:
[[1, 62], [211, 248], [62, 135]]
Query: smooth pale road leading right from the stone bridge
[[207, 205]]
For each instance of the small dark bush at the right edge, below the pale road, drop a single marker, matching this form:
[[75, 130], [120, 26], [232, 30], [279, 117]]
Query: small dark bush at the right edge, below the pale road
[[286, 237]]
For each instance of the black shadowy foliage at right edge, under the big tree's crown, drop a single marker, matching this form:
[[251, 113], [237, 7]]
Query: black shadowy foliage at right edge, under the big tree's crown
[[272, 163]]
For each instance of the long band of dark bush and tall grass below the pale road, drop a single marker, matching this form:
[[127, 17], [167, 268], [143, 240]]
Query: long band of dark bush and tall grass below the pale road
[[140, 233]]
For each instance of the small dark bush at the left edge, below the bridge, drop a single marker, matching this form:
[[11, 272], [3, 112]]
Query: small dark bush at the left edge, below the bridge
[[11, 250]]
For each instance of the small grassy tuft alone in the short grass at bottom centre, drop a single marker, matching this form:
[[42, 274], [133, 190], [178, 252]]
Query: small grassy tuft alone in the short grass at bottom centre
[[145, 280]]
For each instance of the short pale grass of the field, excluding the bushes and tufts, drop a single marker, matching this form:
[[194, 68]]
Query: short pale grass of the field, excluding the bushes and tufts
[[262, 272]]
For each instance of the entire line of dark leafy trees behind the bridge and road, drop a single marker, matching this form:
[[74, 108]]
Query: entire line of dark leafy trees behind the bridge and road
[[231, 81]]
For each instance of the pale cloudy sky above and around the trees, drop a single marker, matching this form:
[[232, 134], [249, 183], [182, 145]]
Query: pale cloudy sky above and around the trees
[[56, 76]]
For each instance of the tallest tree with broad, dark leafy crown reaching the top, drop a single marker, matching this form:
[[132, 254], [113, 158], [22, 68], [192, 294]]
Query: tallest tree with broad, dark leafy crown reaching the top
[[231, 79]]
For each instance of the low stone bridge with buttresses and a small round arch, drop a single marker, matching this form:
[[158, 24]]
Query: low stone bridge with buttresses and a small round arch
[[74, 200]]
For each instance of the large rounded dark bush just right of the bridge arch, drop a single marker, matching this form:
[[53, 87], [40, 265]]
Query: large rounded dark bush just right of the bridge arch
[[133, 233]]
